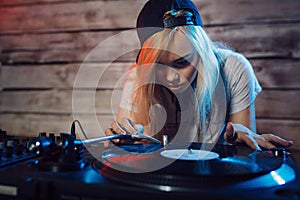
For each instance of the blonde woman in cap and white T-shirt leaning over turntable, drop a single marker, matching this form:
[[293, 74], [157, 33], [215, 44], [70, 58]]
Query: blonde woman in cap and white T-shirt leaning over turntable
[[187, 87]]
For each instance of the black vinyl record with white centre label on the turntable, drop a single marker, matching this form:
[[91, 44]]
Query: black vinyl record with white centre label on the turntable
[[222, 160]]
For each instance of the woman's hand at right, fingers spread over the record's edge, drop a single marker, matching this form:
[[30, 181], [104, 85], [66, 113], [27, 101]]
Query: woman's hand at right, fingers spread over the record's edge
[[236, 133]]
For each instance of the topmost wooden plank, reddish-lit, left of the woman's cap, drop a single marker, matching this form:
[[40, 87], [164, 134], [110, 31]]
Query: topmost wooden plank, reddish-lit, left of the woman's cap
[[71, 16]]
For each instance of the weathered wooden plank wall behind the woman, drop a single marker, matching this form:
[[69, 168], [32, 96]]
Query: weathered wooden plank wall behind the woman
[[44, 42]]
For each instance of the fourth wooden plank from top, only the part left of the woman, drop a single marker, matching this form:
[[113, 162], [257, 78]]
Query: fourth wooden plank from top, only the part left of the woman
[[60, 101]]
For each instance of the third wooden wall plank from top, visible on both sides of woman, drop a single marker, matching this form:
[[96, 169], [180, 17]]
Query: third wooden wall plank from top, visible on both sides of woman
[[271, 73]]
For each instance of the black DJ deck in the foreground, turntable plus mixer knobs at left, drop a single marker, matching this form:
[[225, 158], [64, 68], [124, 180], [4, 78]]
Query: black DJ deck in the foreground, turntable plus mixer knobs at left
[[61, 167]]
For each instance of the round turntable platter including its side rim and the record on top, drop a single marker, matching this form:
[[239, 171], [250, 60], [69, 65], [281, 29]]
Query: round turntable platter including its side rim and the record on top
[[227, 166]]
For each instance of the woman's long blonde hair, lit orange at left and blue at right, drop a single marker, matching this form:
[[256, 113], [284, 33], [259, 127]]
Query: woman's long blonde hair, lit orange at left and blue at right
[[208, 74]]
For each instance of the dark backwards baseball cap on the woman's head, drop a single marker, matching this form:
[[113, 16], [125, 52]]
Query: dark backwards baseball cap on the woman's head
[[153, 11]]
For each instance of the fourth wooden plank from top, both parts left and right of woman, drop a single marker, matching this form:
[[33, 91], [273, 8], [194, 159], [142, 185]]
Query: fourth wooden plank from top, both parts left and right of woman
[[281, 104]]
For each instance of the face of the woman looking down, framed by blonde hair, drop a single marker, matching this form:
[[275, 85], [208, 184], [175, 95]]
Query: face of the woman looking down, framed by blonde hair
[[176, 67]]
